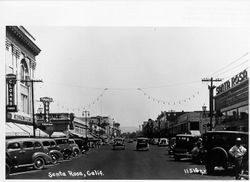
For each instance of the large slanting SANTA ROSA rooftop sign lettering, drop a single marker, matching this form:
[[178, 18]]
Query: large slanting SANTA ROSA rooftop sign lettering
[[242, 76]]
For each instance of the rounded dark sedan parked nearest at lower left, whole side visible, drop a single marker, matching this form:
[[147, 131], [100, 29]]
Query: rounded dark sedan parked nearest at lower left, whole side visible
[[22, 152]]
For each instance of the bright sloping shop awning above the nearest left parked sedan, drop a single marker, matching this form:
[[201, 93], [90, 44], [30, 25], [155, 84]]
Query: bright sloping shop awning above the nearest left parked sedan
[[11, 129]]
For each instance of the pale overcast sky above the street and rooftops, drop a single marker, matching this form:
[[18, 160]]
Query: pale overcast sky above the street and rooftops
[[78, 63]]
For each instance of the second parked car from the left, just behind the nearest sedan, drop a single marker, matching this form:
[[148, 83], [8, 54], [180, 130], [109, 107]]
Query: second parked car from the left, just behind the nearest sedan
[[54, 150]]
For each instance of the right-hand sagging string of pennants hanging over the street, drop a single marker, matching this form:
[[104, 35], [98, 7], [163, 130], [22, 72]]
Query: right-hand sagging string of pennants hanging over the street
[[159, 101]]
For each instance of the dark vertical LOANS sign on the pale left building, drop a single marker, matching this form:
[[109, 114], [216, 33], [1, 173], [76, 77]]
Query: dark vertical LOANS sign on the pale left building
[[11, 81]]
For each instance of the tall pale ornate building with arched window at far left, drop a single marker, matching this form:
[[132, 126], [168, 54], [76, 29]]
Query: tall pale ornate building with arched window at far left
[[20, 64]]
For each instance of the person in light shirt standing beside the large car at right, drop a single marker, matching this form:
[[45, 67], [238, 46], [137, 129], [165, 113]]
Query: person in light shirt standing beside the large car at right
[[237, 152]]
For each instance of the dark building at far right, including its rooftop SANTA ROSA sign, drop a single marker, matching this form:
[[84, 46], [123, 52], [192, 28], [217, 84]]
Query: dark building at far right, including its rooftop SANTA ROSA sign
[[232, 103]]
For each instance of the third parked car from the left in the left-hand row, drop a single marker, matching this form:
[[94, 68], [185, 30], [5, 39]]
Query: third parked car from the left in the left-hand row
[[64, 146]]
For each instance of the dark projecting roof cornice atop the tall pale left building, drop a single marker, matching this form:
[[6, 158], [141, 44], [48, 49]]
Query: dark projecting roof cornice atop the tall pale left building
[[24, 39]]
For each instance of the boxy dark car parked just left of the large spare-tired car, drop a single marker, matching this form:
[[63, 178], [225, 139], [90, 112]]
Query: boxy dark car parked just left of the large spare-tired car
[[184, 145]]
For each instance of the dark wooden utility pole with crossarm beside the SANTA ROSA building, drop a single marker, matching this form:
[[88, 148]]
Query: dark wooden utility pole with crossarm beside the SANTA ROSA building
[[211, 97]]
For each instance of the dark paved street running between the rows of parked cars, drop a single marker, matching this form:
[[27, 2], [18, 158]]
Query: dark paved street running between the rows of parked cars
[[105, 163]]
